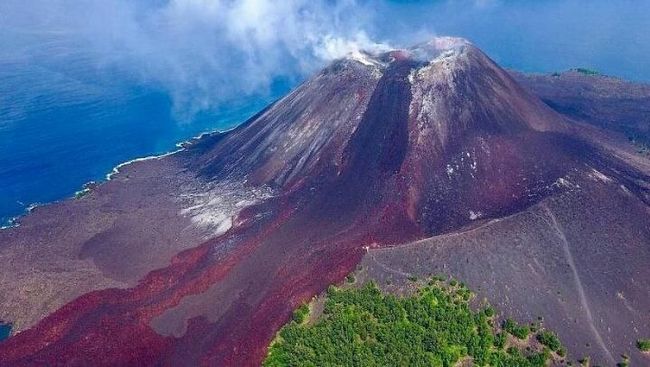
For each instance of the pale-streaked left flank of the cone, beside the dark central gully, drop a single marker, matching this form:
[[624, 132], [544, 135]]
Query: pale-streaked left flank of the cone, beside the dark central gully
[[300, 134]]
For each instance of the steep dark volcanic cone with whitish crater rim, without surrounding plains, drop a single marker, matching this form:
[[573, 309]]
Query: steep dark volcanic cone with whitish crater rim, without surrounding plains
[[415, 124]]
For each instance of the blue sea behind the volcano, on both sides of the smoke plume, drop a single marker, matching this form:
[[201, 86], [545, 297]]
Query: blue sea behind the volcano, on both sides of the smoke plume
[[64, 120]]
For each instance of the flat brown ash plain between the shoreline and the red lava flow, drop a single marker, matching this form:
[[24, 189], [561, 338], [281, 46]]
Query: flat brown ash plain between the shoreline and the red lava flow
[[109, 238]]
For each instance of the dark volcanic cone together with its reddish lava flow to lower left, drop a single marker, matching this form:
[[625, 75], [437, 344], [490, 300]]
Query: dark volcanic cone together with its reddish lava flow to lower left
[[371, 152]]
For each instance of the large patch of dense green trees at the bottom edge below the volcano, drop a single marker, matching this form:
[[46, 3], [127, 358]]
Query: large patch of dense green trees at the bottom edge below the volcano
[[367, 327]]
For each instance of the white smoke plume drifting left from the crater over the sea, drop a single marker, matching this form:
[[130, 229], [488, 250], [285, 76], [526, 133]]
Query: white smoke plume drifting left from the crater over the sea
[[203, 52]]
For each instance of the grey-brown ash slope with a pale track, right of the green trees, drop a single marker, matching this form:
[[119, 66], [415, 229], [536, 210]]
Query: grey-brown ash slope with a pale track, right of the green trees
[[579, 260]]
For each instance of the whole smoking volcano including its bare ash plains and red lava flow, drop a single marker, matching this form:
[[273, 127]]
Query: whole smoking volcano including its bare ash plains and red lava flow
[[431, 157]]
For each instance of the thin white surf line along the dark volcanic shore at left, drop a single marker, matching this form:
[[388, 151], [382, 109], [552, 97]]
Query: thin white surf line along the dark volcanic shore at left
[[14, 222]]
